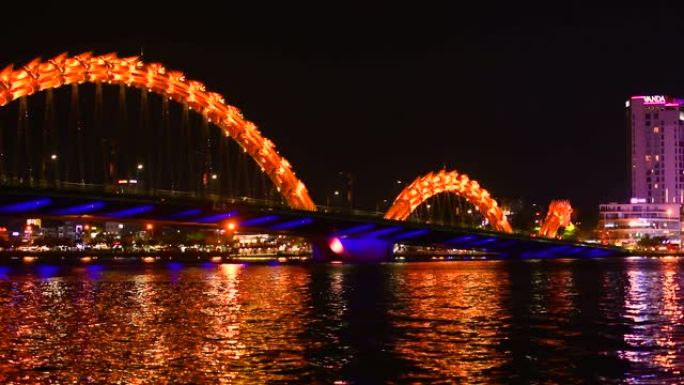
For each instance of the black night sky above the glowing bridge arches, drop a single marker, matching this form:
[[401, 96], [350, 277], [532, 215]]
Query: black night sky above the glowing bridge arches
[[528, 99]]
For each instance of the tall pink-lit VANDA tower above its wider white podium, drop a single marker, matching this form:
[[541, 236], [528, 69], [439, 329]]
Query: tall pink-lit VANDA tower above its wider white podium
[[656, 137]]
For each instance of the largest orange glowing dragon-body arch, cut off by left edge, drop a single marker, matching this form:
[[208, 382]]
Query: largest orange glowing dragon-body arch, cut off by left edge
[[131, 71]]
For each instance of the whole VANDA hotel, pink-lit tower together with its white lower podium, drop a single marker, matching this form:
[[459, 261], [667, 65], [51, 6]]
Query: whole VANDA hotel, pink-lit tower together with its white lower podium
[[656, 140]]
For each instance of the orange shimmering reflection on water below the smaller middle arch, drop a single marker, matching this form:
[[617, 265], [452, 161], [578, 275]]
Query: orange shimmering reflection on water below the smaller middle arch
[[454, 321]]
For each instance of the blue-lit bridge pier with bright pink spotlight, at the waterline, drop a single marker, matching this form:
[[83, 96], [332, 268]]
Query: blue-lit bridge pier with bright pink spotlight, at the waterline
[[354, 250]]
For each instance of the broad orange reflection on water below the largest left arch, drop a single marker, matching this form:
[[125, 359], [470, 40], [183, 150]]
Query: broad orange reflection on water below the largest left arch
[[211, 326]]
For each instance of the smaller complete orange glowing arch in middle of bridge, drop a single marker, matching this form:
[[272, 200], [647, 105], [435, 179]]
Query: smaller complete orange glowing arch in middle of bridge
[[424, 187]]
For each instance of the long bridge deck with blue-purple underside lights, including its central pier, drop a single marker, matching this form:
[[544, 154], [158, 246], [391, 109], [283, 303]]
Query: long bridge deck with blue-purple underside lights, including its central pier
[[340, 235]]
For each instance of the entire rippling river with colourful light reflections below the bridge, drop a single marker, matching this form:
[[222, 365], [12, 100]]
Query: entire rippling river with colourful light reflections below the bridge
[[562, 321]]
